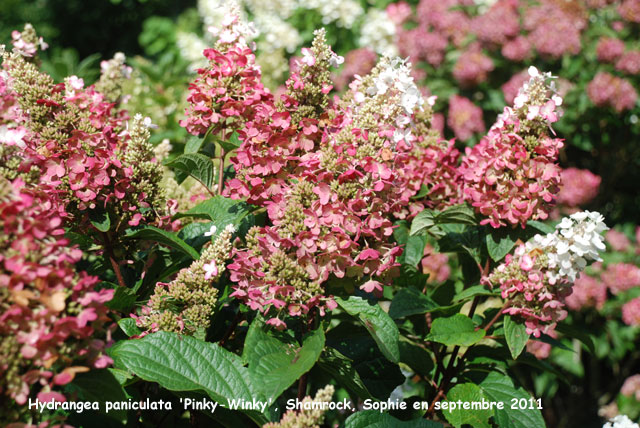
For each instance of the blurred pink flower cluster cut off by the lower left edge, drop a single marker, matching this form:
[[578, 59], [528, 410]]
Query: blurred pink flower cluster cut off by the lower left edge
[[52, 321]]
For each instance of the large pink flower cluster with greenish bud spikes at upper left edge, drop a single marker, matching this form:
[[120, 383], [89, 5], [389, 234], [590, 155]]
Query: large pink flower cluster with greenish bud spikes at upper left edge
[[75, 146]]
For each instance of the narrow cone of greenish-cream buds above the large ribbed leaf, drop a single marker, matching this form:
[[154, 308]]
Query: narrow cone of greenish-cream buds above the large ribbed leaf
[[185, 304]]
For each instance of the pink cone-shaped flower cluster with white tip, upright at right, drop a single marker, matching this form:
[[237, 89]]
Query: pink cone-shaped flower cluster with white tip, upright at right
[[511, 175]]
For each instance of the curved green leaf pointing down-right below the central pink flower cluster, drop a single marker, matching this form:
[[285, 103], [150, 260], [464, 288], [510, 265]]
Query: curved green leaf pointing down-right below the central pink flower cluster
[[381, 327]]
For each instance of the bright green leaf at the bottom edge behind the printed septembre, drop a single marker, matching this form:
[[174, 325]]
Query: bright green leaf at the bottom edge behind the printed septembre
[[466, 393]]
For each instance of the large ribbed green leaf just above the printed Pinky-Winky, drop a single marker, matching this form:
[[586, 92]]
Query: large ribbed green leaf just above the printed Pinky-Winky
[[182, 363]]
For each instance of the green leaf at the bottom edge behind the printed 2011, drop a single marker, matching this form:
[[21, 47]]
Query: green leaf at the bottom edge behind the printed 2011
[[497, 387]]
